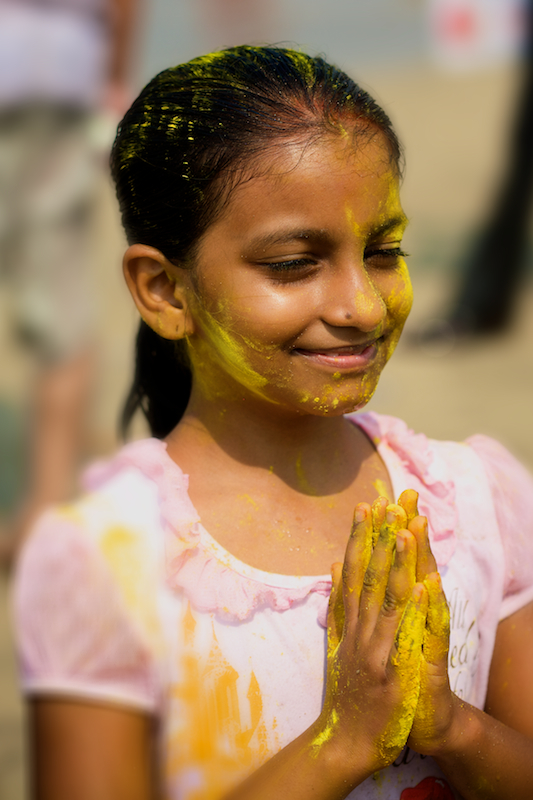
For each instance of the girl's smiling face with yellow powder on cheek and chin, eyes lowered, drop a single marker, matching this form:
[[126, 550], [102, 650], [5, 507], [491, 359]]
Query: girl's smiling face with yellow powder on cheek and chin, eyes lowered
[[300, 288]]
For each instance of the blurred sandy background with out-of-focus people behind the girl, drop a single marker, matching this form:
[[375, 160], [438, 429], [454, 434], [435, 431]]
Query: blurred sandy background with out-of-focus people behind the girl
[[454, 76]]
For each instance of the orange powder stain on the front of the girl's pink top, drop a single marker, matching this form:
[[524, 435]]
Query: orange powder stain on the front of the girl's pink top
[[221, 736]]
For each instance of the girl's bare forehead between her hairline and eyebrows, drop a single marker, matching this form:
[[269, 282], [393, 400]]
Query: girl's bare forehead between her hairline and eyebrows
[[316, 181]]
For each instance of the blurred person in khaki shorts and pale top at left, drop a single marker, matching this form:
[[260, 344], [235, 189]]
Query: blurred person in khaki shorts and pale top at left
[[61, 62]]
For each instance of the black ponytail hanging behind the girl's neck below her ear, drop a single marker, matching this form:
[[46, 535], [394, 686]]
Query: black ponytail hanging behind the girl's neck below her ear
[[161, 384]]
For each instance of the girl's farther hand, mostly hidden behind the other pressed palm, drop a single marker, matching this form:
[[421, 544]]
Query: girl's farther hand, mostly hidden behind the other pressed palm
[[435, 710]]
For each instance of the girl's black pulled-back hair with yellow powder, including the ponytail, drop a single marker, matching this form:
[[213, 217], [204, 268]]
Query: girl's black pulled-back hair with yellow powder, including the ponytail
[[196, 131]]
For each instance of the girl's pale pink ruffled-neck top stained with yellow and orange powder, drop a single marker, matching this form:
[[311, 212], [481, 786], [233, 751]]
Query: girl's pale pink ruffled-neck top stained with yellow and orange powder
[[125, 597]]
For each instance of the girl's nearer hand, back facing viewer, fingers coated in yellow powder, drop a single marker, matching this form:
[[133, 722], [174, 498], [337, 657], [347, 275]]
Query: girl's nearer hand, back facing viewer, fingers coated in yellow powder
[[376, 623]]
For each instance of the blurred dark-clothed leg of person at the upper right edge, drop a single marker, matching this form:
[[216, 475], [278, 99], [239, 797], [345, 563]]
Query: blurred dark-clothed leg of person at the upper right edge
[[491, 277]]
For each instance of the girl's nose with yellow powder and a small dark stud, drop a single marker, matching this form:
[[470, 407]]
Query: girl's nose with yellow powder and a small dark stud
[[354, 300]]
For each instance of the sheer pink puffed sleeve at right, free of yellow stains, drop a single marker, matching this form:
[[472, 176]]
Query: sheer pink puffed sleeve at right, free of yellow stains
[[511, 487]]
